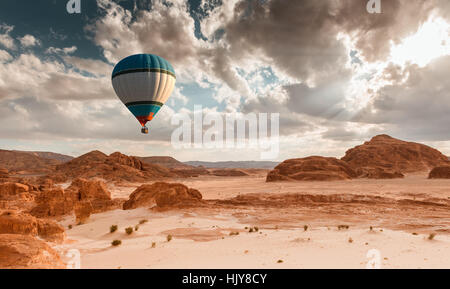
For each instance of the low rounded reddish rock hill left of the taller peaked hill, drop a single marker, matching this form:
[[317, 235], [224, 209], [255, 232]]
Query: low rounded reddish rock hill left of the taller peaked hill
[[311, 169]]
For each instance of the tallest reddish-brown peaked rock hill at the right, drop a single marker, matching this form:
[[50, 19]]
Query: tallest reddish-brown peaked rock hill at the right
[[393, 155]]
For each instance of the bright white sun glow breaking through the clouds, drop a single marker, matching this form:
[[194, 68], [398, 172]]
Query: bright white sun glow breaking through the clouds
[[431, 41]]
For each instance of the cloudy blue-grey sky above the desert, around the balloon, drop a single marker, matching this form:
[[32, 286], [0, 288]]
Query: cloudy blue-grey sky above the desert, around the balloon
[[336, 74]]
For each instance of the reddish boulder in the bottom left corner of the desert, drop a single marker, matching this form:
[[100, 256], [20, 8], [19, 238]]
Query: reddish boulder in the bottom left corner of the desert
[[27, 252]]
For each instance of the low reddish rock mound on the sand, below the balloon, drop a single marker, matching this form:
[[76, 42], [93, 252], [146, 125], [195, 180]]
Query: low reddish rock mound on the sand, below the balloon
[[163, 195]]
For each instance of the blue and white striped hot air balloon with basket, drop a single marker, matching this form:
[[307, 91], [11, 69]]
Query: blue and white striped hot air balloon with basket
[[143, 82]]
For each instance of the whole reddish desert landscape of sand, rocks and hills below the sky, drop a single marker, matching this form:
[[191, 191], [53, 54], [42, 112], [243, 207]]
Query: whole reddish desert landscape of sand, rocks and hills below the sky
[[385, 204]]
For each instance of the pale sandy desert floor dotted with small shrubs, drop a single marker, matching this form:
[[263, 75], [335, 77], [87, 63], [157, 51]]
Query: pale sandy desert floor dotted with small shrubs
[[402, 214]]
